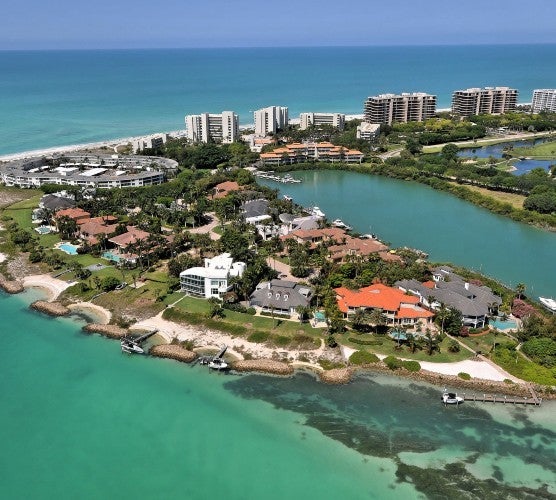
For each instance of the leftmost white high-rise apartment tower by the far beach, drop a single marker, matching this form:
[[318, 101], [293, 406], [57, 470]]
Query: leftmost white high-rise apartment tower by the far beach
[[206, 127]]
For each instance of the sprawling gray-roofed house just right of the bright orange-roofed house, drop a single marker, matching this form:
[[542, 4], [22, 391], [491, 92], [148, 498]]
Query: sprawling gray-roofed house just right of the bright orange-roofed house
[[475, 302]]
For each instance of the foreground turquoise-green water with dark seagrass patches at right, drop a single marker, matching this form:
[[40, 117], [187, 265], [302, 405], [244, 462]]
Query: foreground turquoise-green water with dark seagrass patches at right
[[80, 420]]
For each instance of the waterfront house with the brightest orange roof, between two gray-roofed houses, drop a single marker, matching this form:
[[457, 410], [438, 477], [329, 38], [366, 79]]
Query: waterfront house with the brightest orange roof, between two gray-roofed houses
[[397, 307]]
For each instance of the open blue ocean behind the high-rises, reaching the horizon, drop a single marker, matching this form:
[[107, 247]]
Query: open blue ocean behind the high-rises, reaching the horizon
[[56, 98]]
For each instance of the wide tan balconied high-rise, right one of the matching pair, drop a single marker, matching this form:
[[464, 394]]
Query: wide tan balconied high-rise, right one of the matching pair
[[490, 100]]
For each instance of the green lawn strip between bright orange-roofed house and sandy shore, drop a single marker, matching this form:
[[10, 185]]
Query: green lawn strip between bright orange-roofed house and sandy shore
[[389, 348]]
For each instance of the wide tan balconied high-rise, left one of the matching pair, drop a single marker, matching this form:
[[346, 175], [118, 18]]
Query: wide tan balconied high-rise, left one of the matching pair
[[405, 107]]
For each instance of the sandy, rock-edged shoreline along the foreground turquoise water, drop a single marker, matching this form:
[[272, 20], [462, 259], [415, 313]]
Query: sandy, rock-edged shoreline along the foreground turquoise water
[[485, 377]]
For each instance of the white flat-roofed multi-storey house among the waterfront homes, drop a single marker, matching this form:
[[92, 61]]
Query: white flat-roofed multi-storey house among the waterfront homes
[[212, 279]]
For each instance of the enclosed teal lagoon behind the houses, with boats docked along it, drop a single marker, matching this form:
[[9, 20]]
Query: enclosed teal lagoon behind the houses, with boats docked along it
[[449, 229]]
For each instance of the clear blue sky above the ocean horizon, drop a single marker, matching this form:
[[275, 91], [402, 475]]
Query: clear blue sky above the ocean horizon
[[104, 24]]
